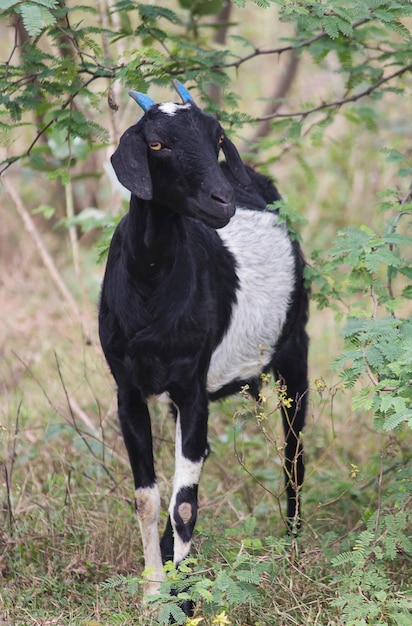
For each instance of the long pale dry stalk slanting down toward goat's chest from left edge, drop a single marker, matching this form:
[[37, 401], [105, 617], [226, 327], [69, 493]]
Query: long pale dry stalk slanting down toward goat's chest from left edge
[[45, 256]]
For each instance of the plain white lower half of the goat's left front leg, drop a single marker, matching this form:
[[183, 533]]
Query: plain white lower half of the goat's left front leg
[[148, 511]]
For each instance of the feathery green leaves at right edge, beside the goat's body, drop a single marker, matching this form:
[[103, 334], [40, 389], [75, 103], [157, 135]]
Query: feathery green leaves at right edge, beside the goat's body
[[364, 264]]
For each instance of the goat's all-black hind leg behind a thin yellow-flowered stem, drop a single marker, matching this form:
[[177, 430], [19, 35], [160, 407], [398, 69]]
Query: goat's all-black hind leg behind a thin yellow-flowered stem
[[290, 367]]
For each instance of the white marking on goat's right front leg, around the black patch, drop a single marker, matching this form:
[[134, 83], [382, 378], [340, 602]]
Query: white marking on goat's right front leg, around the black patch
[[187, 474]]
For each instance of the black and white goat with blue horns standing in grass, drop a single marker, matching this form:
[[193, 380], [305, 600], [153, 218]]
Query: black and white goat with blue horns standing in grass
[[203, 291]]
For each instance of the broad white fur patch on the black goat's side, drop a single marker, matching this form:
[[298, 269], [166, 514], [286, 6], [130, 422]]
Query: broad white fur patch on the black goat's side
[[266, 272]]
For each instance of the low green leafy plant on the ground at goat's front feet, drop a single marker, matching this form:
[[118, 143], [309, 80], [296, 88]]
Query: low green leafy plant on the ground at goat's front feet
[[228, 588]]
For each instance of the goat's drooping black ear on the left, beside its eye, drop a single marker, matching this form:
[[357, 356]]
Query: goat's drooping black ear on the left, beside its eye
[[130, 164]]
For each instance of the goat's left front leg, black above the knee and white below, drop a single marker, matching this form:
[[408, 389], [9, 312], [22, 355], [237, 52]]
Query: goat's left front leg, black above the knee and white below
[[135, 424]]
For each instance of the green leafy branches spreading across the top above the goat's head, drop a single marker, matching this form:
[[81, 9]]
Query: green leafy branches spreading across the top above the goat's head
[[65, 54]]
